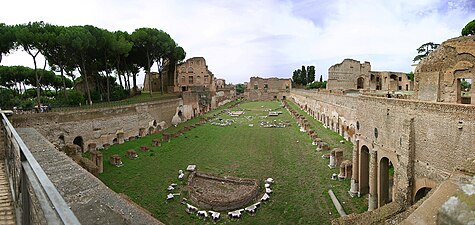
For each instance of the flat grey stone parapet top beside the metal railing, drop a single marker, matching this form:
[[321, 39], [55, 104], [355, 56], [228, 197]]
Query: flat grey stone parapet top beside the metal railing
[[91, 200]]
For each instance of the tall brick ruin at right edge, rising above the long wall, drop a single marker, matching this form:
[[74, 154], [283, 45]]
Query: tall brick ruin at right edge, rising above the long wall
[[438, 77]]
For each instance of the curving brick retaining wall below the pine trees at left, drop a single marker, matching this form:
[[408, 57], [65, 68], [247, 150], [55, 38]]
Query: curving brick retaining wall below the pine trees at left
[[104, 126]]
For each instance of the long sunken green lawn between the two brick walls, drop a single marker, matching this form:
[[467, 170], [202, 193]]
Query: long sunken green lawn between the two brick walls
[[302, 177]]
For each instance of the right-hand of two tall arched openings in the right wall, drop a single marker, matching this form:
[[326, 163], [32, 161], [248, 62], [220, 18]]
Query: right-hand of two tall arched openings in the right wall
[[386, 181]]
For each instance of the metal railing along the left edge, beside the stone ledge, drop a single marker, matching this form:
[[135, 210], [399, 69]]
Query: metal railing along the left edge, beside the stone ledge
[[36, 199]]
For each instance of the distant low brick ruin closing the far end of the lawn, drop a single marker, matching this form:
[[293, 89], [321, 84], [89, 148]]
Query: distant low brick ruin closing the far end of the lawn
[[267, 88]]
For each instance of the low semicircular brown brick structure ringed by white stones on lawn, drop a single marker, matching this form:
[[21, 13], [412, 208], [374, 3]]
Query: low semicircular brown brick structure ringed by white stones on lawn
[[221, 193]]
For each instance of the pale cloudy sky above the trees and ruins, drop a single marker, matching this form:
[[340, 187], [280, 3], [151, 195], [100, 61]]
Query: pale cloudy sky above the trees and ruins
[[269, 38]]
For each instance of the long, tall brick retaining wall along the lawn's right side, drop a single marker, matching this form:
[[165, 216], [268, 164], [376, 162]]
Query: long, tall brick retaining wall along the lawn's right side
[[424, 141]]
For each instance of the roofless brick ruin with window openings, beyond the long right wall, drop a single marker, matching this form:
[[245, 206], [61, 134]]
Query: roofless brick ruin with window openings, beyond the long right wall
[[353, 75]]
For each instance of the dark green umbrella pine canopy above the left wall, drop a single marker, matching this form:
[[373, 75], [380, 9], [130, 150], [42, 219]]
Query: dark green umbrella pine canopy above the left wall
[[95, 53]]
